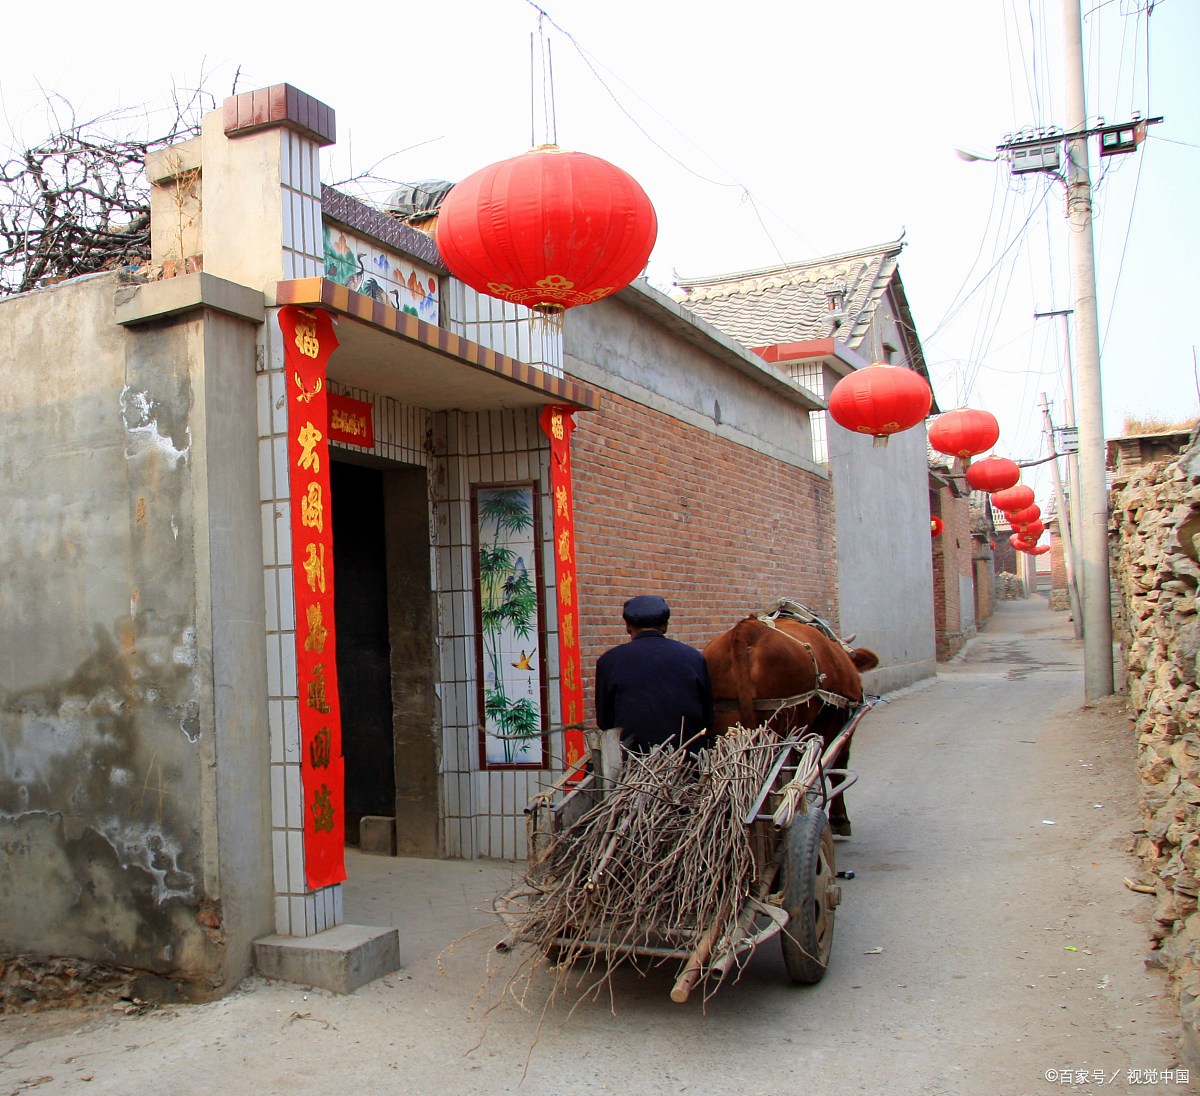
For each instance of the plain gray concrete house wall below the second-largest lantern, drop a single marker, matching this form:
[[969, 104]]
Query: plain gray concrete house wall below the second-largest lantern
[[885, 564]]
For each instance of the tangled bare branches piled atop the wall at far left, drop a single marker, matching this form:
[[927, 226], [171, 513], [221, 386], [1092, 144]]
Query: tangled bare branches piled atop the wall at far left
[[77, 202]]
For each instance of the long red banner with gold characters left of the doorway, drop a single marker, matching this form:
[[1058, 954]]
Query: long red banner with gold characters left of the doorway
[[308, 343]]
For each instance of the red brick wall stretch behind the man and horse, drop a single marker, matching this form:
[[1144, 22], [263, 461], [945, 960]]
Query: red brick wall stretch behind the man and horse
[[718, 530]]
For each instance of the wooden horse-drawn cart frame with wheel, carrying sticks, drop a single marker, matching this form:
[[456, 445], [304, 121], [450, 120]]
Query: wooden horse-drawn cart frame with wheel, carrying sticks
[[795, 893]]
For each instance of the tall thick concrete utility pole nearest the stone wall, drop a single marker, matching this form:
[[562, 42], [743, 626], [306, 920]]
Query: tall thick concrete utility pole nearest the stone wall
[[1094, 531]]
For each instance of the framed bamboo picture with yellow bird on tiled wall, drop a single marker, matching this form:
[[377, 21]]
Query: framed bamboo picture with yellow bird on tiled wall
[[509, 626]]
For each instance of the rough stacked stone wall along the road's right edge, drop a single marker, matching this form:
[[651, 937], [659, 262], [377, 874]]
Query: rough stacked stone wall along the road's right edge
[[1156, 528]]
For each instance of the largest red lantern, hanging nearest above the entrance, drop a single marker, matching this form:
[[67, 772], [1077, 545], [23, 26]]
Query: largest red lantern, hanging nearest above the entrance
[[548, 230]]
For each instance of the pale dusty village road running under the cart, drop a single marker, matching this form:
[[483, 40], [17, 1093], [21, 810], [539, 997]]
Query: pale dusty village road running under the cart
[[986, 948]]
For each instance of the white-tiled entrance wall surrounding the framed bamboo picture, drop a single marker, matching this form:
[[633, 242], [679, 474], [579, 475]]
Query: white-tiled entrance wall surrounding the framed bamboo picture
[[484, 811]]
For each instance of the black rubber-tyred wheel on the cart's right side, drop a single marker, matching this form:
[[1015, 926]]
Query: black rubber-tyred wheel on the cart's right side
[[811, 897]]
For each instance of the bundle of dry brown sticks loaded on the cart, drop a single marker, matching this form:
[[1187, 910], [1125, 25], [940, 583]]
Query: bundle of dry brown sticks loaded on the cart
[[663, 866]]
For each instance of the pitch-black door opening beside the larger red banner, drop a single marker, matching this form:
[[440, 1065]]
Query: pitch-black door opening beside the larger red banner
[[364, 649]]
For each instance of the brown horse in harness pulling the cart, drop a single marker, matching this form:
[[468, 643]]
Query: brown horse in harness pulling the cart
[[793, 676]]
